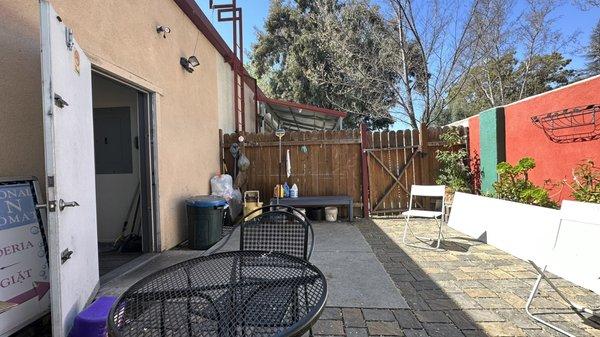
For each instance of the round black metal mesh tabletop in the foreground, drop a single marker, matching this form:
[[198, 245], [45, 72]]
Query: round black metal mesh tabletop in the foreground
[[242, 293]]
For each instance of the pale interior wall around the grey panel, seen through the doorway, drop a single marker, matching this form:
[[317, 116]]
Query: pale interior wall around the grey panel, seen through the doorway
[[114, 192]]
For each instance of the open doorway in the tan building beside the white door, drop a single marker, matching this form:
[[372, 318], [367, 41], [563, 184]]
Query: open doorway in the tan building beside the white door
[[122, 159]]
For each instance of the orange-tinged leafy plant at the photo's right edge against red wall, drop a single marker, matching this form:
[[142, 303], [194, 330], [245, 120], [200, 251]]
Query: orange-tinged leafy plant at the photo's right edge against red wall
[[586, 182]]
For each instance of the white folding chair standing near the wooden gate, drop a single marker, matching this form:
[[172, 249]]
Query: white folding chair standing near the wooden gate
[[432, 191]]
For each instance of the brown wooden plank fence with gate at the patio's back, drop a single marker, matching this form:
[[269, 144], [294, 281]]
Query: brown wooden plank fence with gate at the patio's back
[[376, 168]]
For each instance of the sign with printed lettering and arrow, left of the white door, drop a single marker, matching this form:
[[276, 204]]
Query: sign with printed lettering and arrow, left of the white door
[[24, 276]]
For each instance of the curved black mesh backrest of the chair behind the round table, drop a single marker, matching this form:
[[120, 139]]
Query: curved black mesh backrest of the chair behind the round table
[[280, 230]]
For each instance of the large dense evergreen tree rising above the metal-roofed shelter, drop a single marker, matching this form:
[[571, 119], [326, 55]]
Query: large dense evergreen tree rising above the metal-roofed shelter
[[294, 59]]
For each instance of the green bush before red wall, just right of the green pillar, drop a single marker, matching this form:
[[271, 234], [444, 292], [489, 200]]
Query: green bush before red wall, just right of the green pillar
[[513, 184]]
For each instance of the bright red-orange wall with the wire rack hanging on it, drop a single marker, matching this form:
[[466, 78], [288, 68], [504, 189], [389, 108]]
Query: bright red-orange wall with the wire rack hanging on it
[[523, 139]]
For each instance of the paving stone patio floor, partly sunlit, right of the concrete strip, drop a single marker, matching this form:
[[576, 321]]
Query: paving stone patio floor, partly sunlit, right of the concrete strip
[[471, 289]]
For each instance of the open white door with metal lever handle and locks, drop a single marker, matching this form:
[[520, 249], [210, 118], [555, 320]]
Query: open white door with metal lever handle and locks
[[70, 181]]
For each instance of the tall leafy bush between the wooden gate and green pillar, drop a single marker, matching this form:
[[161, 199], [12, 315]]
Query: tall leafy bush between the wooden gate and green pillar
[[454, 173]]
